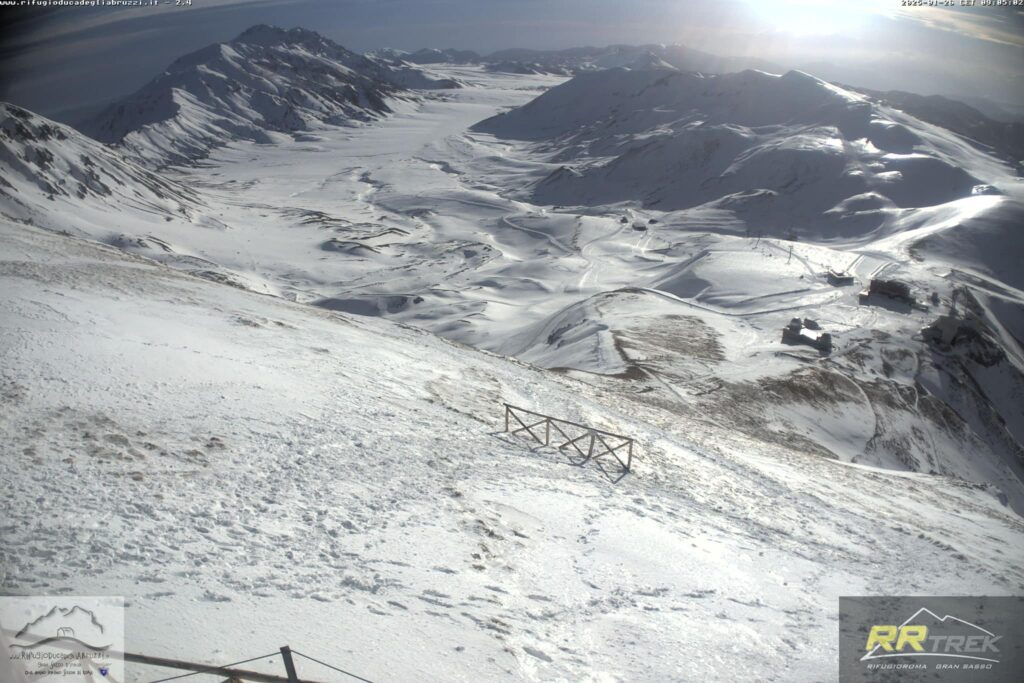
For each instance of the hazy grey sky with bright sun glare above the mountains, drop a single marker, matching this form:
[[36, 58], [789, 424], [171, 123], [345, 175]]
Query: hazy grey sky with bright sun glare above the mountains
[[58, 62]]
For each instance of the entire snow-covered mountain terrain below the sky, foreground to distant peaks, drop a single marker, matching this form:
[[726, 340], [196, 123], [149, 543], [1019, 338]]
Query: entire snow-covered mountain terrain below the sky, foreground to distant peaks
[[257, 333]]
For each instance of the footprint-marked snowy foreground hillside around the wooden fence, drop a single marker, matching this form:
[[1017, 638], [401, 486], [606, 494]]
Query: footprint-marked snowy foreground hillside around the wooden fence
[[217, 456]]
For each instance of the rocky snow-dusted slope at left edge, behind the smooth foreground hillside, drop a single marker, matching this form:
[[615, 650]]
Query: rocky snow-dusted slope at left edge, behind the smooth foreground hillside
[[55, 178]]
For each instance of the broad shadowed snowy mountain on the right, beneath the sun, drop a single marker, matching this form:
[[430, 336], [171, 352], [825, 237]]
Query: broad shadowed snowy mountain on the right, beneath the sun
[[787, 152]]
